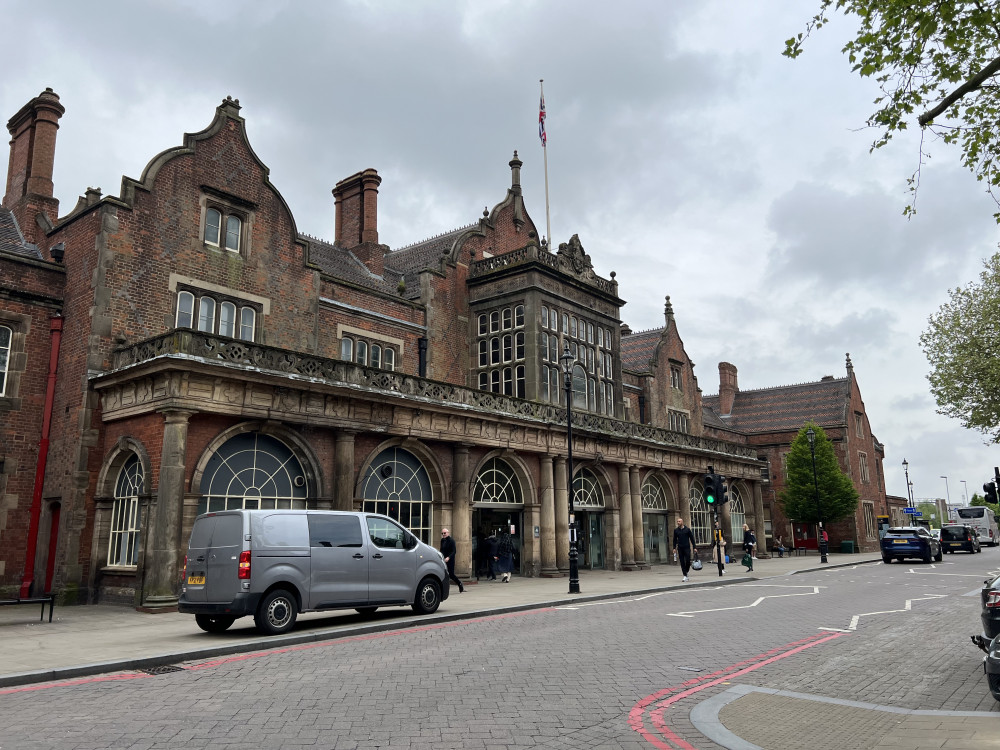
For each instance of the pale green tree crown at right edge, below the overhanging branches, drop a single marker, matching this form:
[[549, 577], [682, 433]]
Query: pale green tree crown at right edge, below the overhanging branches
[[960, 344]]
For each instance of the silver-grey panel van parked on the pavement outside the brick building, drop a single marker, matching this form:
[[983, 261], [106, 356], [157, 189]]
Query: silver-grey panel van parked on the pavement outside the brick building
[[273, 564]]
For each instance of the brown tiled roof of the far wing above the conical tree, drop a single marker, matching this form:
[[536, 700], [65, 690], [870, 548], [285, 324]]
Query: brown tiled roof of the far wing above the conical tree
[[788, 407]]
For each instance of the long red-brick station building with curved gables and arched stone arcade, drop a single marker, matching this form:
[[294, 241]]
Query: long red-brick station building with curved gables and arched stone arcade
[[183, 346]]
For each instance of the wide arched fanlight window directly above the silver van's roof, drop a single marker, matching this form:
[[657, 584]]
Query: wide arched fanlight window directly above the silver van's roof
[[253, 470]]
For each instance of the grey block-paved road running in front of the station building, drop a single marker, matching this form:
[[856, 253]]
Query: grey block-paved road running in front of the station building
[[621, 673]]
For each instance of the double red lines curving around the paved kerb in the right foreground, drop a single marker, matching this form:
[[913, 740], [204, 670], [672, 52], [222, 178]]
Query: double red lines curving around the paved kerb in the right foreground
[[692, 686]]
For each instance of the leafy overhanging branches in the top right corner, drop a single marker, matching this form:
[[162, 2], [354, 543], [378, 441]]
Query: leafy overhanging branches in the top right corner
[[938, 58]]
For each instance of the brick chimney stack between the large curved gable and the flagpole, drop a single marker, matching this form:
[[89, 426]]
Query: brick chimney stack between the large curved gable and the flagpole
[[357, 218]]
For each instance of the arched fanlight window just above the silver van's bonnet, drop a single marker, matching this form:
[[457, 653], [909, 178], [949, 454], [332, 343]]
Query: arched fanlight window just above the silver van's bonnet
[[397, 485]]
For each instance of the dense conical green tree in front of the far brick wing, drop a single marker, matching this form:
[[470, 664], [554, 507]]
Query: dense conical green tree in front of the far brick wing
[[837, 497]]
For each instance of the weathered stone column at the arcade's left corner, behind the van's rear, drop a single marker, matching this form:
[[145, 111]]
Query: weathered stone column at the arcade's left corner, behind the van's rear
[[162, 585]]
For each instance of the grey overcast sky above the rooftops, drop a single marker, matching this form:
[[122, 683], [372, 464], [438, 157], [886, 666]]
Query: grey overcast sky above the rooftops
[[683, 149]]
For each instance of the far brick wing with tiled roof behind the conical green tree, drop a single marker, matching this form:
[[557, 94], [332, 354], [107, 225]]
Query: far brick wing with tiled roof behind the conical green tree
[[770, 419]]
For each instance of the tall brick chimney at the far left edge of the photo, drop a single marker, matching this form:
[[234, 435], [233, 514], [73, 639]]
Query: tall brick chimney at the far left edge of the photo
[[32, 156]]
